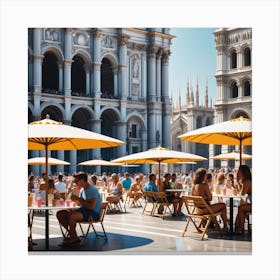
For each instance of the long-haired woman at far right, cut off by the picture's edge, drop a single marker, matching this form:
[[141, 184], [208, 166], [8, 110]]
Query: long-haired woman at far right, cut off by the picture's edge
[[244, 180]]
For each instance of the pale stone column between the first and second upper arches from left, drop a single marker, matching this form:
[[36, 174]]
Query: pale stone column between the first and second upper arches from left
[[67, 62]]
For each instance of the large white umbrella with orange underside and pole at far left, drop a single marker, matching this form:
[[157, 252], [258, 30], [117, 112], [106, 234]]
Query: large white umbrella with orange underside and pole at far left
[[48, 135]]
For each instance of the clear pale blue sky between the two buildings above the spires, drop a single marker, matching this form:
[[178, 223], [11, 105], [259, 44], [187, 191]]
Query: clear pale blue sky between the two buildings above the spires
[[193, 56]]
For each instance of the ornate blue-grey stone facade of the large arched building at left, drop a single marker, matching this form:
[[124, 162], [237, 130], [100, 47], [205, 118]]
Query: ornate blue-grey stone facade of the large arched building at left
[[112, 81]]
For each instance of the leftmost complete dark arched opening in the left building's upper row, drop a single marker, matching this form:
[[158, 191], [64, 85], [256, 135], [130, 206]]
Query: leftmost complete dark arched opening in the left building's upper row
[[50, 73]]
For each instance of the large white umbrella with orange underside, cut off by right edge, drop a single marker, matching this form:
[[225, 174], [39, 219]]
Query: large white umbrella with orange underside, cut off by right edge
[[233, 132]]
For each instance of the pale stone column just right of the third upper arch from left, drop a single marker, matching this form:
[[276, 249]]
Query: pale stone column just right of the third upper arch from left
[[123, 85]]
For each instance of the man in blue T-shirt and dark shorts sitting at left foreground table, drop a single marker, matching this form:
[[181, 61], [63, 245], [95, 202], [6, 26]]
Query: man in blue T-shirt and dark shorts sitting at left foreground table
[[90, 206]]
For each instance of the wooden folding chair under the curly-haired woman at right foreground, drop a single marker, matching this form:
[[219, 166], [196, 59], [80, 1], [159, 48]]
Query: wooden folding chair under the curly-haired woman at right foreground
[[201, 222]]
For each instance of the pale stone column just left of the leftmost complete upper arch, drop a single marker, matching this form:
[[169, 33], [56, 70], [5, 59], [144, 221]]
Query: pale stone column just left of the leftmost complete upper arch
[[37, 61]]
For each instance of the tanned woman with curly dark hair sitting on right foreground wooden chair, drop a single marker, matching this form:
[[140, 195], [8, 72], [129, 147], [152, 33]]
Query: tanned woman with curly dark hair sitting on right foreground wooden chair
[[201, 188]]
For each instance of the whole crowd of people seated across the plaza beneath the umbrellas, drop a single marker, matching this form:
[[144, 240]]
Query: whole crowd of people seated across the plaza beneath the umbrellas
[[84, 190]]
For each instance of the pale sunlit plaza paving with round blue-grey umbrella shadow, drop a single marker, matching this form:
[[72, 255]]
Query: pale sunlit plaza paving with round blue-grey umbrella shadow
[[133, 233]]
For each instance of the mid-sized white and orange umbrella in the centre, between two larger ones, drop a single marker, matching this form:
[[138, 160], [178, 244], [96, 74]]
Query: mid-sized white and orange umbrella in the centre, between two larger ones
[[158, 155]]
